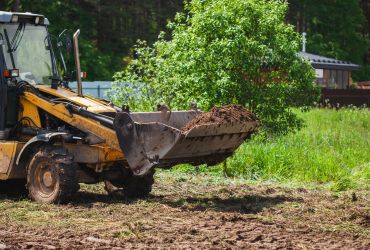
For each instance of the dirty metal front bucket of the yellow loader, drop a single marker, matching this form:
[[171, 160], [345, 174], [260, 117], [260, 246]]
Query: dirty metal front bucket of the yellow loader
[[156, 139]]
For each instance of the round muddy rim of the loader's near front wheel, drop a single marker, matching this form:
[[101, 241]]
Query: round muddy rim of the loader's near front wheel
[[45, 179]]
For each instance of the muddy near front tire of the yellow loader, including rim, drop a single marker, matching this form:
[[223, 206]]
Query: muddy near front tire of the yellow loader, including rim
[[51, 176]]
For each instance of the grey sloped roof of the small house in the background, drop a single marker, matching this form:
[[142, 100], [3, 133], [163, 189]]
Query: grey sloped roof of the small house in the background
[[321, 62]]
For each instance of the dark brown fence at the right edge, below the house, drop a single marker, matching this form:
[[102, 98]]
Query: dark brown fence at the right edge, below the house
[[345, 97]]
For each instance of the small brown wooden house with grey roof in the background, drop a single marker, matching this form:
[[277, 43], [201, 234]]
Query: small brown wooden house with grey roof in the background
[[331, 73]]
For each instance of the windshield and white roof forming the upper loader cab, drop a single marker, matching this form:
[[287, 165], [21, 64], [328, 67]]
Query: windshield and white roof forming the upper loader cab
[[27, 47]]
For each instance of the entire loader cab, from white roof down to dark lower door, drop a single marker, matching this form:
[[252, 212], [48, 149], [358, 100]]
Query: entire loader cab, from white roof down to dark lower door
[[26, 56]]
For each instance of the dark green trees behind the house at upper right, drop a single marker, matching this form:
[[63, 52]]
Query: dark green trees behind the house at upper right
[[335, 28]]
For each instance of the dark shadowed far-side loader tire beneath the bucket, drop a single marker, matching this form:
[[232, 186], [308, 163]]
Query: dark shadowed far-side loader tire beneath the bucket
[[131, 186]]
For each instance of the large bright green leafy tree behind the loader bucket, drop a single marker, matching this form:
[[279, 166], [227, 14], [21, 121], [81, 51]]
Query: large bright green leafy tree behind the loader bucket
[[221, 52]]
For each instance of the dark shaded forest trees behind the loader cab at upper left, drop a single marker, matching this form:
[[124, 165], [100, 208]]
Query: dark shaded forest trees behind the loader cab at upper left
[[109, 28]]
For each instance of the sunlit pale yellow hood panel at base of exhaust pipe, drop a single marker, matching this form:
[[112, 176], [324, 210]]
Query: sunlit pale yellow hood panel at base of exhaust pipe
[[90, 103]]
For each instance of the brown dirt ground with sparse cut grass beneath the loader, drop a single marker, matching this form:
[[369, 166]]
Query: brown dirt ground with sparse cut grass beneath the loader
[[192, 211]]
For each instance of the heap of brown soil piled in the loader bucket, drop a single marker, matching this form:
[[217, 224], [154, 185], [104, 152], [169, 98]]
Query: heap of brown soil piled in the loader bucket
[[225, 114]]
